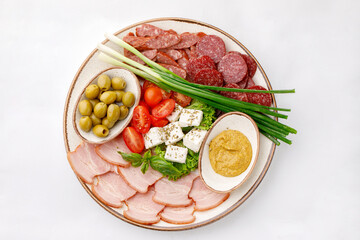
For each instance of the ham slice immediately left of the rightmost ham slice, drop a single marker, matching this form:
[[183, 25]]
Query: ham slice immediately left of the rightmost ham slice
[[174, 193]]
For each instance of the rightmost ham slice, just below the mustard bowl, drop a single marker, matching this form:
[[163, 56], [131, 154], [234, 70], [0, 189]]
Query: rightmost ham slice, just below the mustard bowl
[[205, 198]]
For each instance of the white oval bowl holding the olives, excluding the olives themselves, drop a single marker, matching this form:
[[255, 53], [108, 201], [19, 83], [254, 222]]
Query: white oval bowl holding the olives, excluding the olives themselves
[[132, 85]]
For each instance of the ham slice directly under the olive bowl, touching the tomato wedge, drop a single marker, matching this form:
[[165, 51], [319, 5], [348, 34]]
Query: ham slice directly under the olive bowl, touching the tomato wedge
[[109, 151]]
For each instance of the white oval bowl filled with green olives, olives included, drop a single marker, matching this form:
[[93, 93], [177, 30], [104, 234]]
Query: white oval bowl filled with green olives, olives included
[[105, 106]]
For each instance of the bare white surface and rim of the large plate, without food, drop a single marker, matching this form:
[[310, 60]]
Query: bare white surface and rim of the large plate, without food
[[93, 66]]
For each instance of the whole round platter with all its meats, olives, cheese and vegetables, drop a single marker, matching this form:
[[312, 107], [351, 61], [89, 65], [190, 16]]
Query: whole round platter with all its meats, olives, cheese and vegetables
[[193, 145]]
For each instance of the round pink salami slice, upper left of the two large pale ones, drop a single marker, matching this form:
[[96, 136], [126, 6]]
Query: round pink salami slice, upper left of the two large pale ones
[[212, 46]]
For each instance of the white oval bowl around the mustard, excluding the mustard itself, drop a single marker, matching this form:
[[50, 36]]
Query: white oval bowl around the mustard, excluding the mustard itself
[[234, 121]]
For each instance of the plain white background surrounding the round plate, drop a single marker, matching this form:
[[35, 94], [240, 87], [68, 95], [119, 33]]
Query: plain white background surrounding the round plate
[[312, 189]]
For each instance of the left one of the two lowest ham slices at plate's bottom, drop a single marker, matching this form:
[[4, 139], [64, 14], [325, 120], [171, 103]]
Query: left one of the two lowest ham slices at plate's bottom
[[142, 209]]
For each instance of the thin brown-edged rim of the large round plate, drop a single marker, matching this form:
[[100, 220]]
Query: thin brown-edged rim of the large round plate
[[176, 228]]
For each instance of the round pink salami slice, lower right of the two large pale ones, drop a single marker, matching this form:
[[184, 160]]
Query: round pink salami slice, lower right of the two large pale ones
[[233, 68]]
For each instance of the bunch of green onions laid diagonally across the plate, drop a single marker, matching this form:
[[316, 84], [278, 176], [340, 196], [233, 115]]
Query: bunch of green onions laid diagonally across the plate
[[167, 80]]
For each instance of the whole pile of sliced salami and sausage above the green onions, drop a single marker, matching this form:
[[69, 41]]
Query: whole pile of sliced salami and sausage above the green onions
[[199, 58]]
